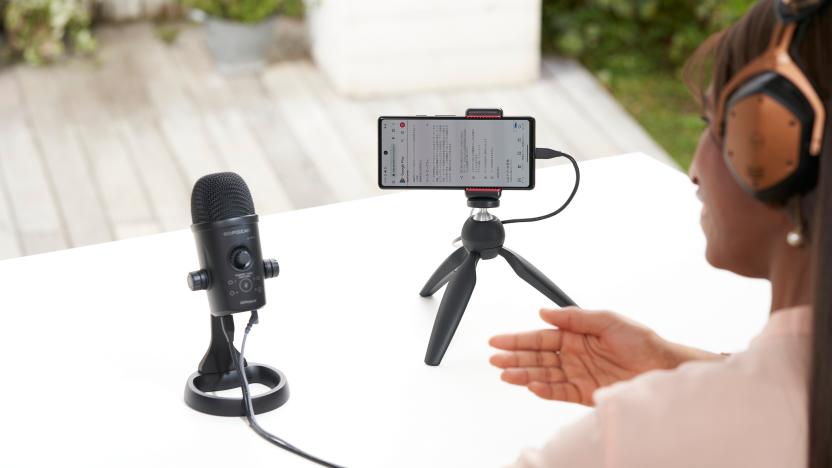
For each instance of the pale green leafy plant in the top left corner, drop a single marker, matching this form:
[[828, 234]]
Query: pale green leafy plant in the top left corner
[[40, 30]]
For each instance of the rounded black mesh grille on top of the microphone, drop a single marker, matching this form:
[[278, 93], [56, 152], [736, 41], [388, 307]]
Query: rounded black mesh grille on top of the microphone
[[220, 196]]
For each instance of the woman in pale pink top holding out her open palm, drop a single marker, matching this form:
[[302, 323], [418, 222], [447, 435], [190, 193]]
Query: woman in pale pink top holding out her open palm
[[770, 406]]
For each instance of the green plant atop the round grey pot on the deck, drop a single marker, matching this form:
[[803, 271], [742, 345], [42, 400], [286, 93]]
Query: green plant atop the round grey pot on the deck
[[247, 11]]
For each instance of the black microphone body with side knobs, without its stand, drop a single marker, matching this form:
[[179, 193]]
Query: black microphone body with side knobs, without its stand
[[228, 245]]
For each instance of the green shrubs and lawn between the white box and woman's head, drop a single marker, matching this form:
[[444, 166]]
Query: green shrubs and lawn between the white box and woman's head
[[636, 47]]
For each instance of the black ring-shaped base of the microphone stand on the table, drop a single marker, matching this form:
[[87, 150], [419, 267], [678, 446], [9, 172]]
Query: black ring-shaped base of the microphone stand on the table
[[199, 386]]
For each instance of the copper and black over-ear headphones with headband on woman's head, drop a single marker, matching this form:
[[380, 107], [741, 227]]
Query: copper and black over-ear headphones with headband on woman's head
[[770, 116]]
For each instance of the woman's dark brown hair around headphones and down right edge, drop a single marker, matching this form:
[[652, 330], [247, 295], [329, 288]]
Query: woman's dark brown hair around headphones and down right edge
[[706, 74]]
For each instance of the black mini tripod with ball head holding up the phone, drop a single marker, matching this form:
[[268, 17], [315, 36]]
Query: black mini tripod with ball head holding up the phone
[[482, 238]]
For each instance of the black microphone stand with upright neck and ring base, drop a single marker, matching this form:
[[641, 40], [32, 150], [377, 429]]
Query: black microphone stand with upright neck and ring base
[[218, 371]]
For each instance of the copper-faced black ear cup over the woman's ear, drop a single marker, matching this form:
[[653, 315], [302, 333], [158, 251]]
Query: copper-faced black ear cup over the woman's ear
[[768, 125]]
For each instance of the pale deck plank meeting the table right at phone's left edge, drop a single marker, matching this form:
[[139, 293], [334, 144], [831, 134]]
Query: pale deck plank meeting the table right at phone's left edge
[[307, 119]]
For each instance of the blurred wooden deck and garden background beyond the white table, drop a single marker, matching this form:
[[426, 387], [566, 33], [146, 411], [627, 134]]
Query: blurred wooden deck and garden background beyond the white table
[[111, 109]]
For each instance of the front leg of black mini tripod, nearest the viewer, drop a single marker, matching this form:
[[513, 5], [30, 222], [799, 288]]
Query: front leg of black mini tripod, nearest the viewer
[[451, 309]]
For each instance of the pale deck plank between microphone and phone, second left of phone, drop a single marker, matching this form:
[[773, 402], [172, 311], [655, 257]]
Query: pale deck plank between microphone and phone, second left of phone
[[304, 184]]
